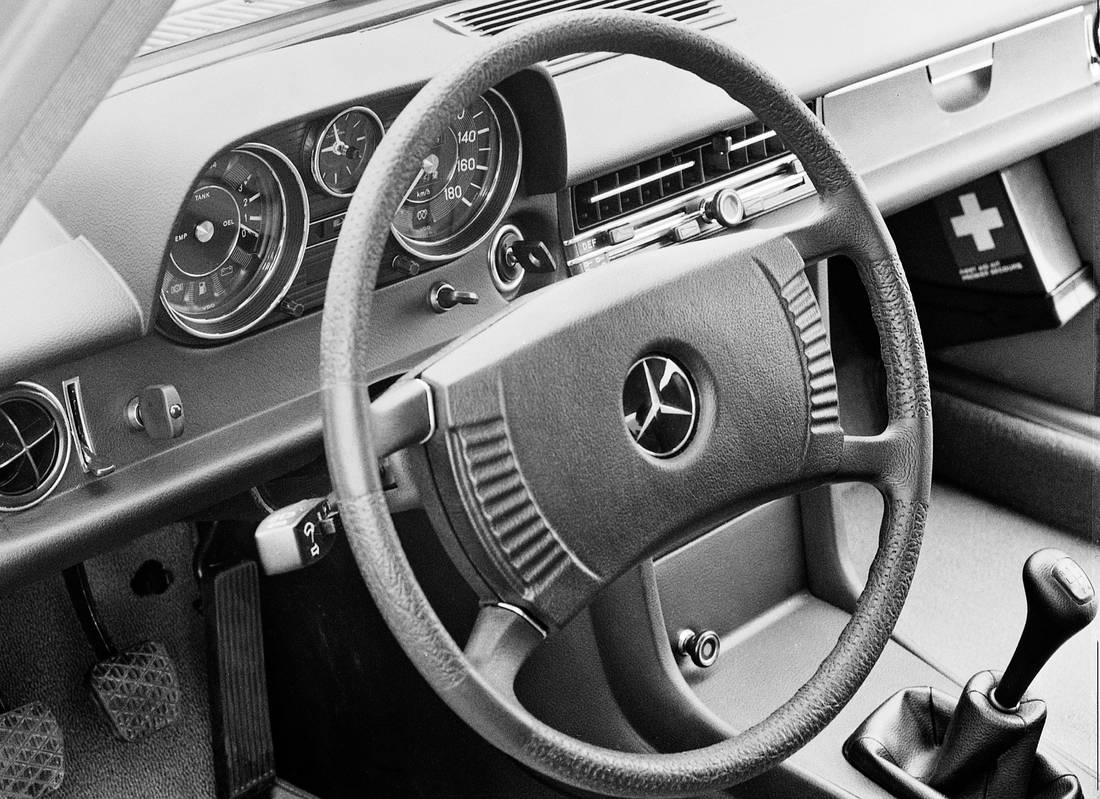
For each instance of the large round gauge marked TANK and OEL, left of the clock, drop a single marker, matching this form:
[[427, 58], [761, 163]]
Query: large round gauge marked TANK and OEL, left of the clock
[[237, 245]]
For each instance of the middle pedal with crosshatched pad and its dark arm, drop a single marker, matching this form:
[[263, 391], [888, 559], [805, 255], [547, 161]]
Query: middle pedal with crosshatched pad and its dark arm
[[138, 688]]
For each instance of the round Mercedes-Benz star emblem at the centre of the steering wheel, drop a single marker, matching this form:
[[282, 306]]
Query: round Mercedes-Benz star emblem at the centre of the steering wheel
[[659, 406]]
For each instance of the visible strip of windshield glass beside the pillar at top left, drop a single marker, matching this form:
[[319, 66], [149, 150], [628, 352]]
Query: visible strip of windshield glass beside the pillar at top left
[[189, 20]]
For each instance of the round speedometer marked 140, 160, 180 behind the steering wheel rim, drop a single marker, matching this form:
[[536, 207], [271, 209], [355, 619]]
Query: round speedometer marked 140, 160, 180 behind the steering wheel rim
[[466, 184]]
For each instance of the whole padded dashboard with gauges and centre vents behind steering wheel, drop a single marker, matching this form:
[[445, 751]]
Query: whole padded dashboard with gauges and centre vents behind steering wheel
[[196, 245]]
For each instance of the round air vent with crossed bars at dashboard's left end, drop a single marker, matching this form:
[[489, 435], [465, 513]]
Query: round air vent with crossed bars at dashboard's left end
[[35, 446]]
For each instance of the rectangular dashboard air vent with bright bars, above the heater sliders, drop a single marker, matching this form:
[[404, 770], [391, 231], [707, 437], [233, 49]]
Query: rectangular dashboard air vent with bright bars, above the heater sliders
[[655, 180]]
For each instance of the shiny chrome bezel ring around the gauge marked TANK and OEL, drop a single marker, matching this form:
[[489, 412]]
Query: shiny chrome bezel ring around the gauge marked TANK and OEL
[[202, 329]]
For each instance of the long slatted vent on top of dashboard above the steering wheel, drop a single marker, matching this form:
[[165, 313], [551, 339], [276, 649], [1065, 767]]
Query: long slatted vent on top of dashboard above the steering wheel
[[493, 18]]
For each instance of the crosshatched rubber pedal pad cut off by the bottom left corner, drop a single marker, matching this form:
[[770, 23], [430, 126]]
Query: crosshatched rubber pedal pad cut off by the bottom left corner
[[32, 753]]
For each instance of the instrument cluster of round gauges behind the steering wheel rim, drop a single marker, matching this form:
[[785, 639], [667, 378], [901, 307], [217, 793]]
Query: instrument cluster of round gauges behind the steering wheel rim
[[257, 233]]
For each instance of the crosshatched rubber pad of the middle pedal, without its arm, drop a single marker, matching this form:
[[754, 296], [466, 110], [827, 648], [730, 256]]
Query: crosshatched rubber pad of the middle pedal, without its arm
[[138, 689]]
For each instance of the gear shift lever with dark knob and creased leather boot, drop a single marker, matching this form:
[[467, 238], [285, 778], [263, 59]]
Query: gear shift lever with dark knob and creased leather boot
[[923, 743]]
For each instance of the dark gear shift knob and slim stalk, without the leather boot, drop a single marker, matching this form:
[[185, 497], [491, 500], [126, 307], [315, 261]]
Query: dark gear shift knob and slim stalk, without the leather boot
[[1061, 603]]
